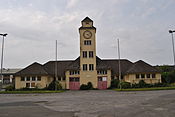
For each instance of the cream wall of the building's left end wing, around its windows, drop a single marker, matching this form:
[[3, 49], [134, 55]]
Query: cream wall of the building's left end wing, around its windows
[[45, 81]]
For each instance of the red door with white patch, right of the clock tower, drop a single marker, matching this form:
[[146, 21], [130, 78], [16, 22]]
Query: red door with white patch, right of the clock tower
[[102, 83]]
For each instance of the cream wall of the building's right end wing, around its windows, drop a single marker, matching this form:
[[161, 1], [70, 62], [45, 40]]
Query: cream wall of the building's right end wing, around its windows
[[132, 79]]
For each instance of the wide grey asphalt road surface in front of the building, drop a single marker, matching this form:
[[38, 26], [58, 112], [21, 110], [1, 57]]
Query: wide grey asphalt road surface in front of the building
[[96, 103]]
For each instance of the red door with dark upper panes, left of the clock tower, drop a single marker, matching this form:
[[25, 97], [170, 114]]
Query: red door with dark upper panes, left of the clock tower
[[74, 83]]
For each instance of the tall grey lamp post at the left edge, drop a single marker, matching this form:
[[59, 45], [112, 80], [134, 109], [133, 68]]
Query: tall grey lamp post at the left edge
[[2, 53]]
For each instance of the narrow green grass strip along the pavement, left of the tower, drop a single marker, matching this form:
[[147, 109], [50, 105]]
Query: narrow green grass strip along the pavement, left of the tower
[[29, 92]]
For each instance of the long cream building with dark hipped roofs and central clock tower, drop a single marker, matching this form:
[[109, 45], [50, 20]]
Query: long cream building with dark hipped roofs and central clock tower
[[88, 67]]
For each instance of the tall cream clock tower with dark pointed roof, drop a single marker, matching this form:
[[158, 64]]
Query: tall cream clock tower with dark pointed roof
[[88, 71]]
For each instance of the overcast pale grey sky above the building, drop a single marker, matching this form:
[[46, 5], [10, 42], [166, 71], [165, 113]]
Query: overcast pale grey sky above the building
[[34, 25]]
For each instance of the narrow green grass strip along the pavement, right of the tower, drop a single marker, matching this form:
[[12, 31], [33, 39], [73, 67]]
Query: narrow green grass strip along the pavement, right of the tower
[[146, 89]]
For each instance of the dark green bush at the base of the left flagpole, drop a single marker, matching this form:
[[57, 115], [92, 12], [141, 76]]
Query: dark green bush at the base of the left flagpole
[[54, 84]]
